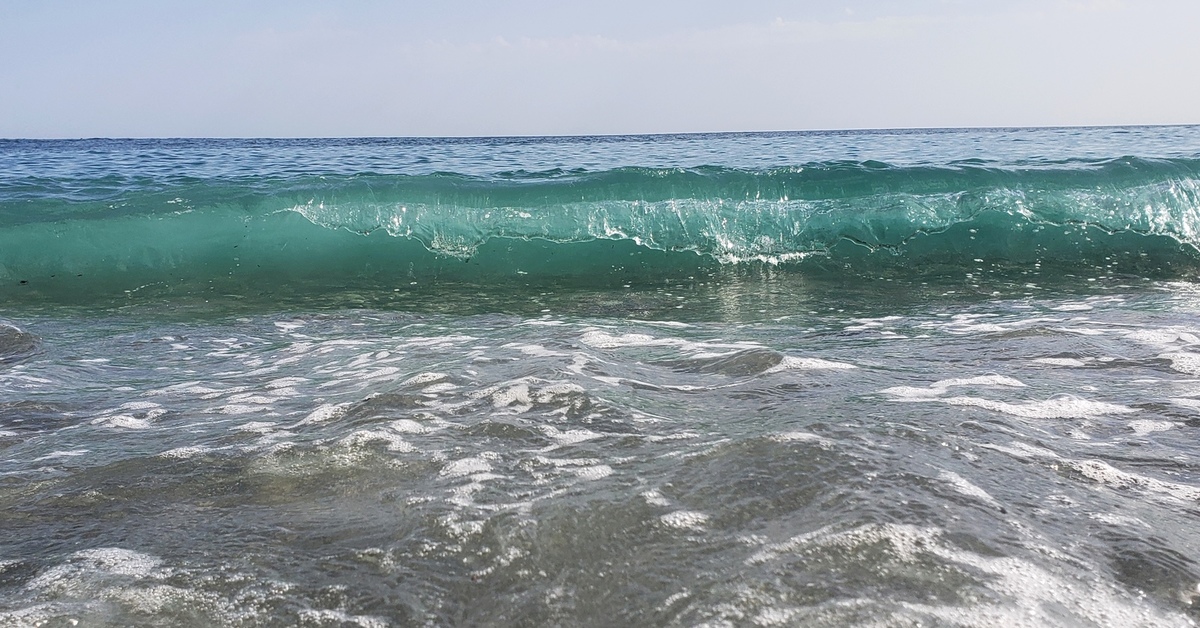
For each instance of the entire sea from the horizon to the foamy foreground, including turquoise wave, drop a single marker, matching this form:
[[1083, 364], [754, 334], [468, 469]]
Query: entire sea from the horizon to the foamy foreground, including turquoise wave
[[830, 379]]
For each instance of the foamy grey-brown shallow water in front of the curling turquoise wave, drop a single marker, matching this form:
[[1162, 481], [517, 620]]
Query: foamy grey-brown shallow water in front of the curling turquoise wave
[[758, 446]]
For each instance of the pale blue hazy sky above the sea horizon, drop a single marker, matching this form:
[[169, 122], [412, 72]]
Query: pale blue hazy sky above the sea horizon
[[470, 68]]
